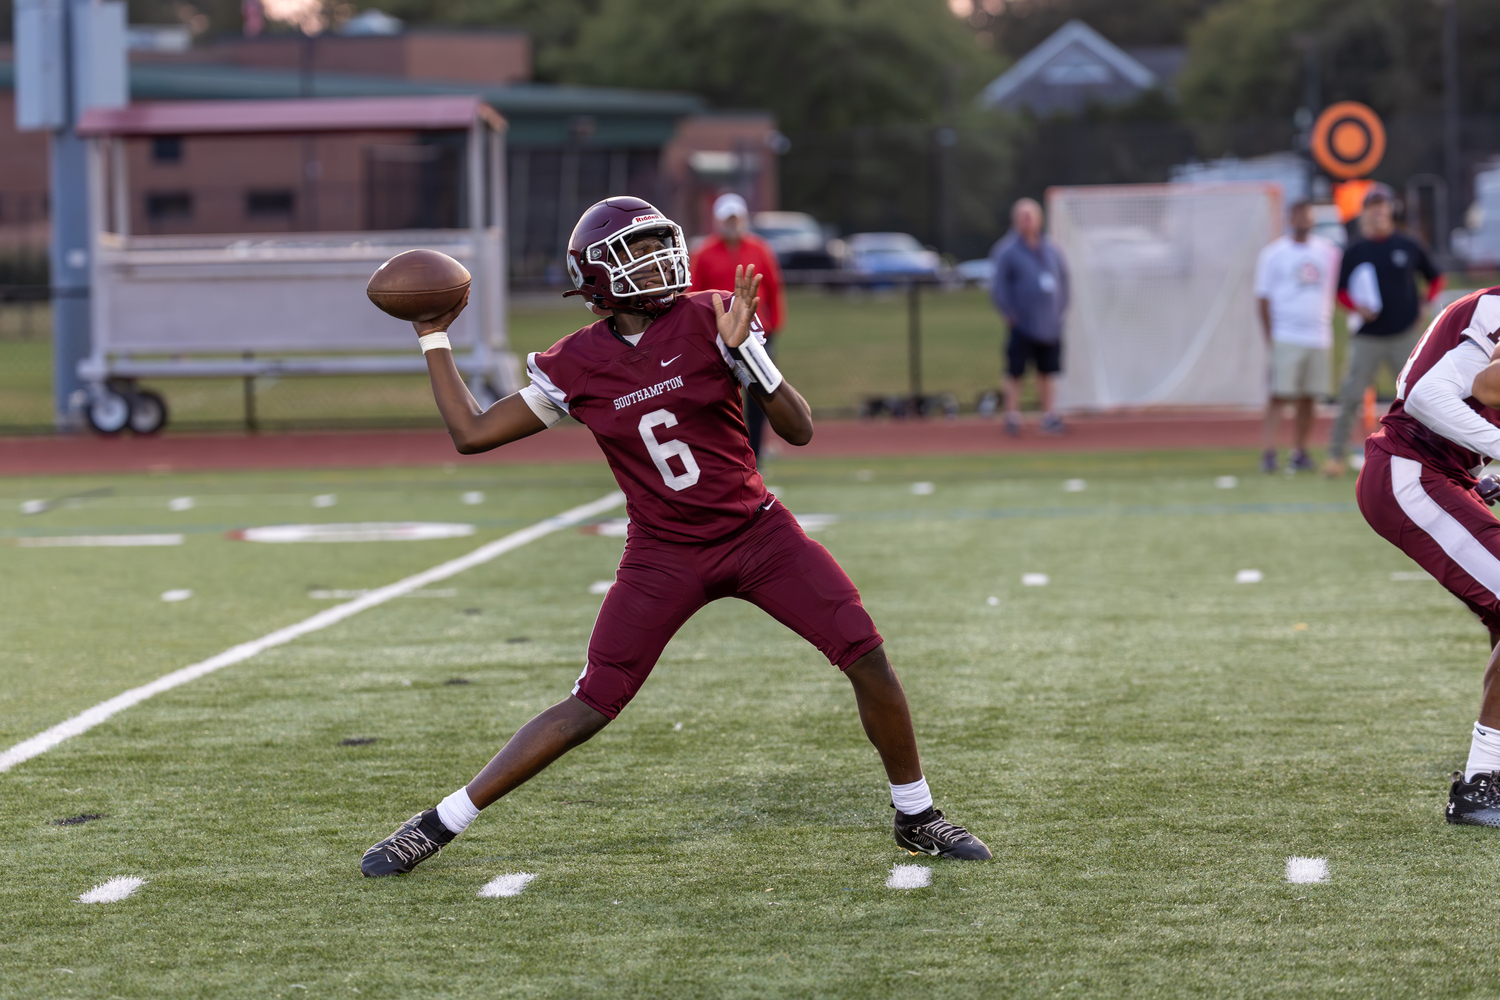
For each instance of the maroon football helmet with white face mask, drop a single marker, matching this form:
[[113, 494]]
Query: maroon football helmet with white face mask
[[604, 271]]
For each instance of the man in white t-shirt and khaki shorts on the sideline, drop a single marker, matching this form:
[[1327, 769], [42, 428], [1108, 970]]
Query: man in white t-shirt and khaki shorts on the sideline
[[1297, 280]]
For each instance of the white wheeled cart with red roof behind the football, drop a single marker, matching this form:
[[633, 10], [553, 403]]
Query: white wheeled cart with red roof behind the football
[[289, 304]]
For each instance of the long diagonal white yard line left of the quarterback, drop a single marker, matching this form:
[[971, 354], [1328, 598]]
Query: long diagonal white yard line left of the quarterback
[[92, 717]]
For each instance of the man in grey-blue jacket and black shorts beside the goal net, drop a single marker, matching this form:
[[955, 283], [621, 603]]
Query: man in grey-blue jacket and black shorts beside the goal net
[[1031, 292]]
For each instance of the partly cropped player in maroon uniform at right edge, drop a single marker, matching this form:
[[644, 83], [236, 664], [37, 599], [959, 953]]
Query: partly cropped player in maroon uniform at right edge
[[1418, 490]]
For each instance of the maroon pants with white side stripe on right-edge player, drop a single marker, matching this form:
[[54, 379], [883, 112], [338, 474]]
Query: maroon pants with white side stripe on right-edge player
[[1441, 524]]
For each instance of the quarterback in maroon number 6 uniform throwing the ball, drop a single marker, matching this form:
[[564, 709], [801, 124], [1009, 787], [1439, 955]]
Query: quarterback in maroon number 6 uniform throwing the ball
[[659, 383]]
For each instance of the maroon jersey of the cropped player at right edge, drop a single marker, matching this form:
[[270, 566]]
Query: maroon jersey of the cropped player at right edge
[[1408, 437]]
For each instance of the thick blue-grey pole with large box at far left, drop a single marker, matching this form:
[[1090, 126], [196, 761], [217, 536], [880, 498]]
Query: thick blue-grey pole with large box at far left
[[70, 58]]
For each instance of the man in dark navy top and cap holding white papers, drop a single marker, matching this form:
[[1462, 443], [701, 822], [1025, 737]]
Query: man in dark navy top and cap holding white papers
[[1384, 310]]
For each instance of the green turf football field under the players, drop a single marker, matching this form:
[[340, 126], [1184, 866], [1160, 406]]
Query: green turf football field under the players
[[1144, 743]]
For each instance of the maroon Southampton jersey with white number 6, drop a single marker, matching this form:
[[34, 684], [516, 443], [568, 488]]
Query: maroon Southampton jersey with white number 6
[[668, 416]]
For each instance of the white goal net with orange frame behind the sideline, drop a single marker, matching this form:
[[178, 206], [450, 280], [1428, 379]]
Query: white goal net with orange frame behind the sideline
[[1163, 293]]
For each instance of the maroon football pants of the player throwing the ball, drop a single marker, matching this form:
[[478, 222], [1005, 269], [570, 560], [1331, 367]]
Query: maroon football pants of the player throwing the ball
[[773, 564]]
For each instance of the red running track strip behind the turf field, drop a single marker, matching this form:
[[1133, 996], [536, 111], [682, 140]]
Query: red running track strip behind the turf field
[[571, 443]]
